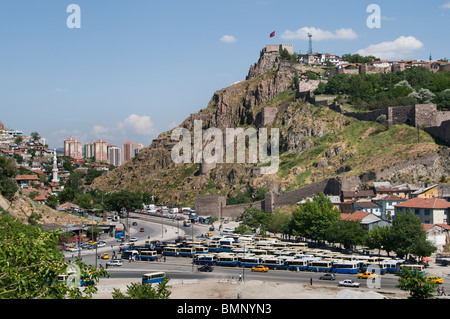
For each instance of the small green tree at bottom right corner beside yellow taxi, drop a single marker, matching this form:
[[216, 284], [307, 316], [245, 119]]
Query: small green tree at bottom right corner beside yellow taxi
[[417, 284]]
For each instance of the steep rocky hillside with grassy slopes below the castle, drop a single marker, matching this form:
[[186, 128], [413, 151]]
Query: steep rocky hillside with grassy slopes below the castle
[[315, 143]]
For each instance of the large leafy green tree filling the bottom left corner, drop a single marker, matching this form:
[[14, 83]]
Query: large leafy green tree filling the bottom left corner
[[30, 262]]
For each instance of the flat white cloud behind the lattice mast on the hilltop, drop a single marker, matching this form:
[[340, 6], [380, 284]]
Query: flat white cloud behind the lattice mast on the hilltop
[[319, 34]]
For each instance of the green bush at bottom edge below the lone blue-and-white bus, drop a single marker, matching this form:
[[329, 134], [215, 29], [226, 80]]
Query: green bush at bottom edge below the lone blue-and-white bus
[[142, 291]]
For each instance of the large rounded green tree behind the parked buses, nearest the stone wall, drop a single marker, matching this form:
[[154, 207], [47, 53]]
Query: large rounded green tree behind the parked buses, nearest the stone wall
[[313, 218]]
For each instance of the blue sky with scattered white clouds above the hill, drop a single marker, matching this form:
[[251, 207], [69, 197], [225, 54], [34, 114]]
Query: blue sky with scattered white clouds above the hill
[[129, 70]]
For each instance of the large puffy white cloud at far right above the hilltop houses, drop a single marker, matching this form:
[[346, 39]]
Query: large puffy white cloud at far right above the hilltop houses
[[402, 47]]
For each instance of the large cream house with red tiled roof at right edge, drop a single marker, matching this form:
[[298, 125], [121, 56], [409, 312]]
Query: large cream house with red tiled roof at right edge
[[428, 210]]
